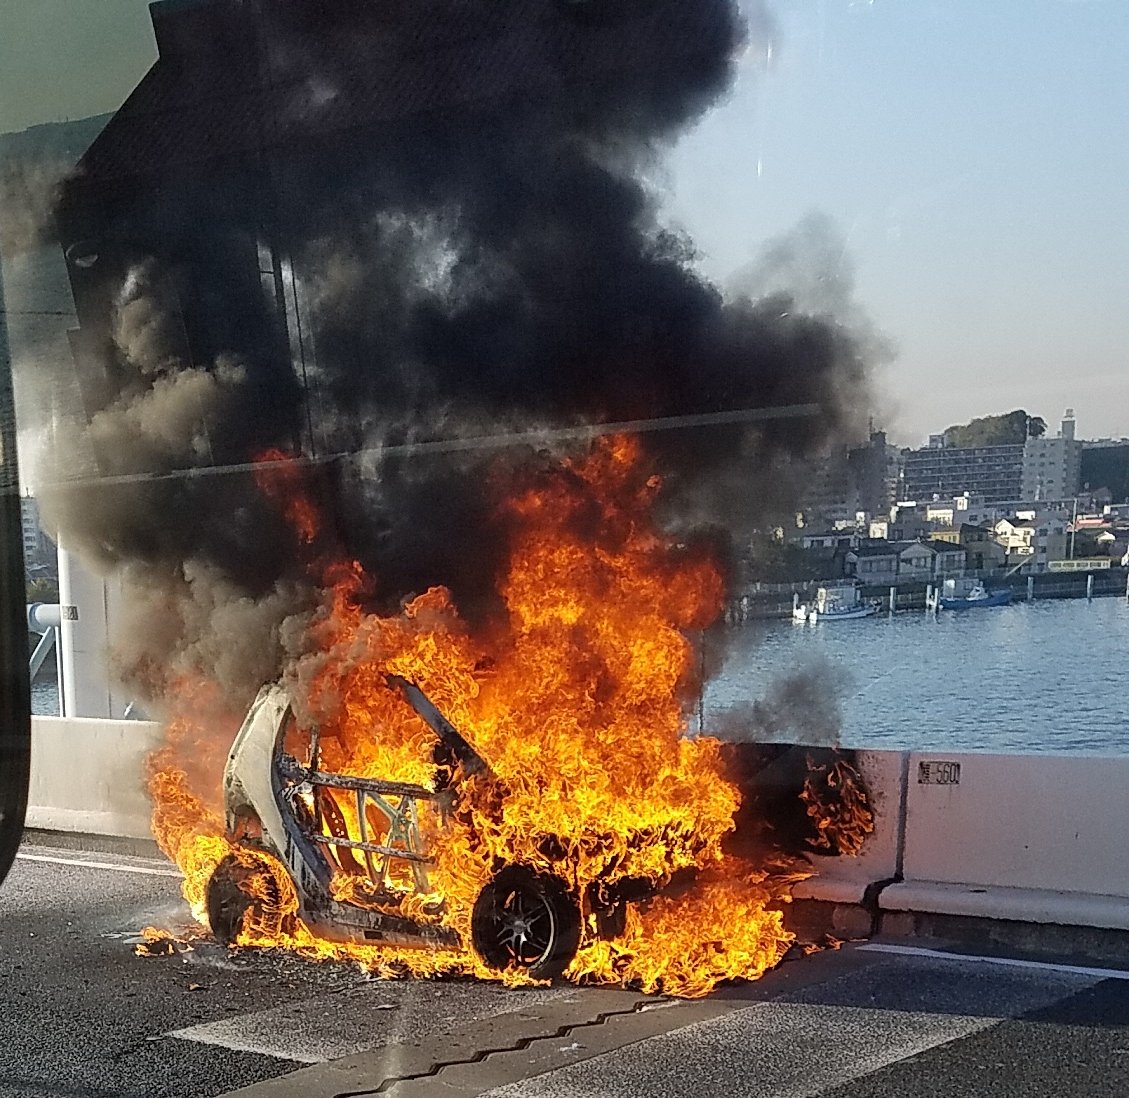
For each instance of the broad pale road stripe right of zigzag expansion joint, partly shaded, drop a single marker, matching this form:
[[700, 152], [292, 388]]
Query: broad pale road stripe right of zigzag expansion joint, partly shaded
[[820, 1038]]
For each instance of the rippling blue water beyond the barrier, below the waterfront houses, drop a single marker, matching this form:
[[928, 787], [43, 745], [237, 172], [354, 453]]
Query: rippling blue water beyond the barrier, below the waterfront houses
[[1044, 677]]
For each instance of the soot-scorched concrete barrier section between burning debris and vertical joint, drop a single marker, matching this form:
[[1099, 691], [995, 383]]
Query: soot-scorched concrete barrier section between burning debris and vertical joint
[[845, 881]]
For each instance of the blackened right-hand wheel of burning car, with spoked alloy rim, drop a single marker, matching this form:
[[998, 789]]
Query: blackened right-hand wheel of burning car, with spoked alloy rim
[[527, 921]]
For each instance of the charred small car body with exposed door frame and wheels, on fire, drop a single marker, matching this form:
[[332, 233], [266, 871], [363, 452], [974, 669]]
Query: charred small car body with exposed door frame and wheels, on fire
[[356, 855]]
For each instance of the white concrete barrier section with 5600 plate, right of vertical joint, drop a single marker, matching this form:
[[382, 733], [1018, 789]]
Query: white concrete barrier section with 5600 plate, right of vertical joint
[[1030, 838]]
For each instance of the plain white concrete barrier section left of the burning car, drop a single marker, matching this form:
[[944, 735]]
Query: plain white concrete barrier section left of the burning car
[[89, 776]]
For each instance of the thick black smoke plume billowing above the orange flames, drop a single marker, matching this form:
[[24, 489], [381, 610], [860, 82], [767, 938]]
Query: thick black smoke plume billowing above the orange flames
[[351, 229]]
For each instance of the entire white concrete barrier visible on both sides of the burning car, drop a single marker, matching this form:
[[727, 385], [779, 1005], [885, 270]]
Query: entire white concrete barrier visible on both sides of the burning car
[[1026, 839]]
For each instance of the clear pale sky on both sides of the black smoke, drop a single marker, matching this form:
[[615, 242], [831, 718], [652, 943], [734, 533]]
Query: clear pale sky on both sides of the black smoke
[[975, 155]]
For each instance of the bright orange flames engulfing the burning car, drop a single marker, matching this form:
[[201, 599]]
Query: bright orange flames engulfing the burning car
[[580, 701]]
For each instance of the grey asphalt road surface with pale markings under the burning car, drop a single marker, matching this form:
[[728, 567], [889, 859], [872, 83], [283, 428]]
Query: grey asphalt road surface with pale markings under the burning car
[[82, 1016]]
